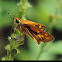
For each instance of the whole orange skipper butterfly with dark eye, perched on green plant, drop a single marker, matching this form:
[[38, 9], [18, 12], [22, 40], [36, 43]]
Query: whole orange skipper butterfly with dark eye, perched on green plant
[[35, 30]]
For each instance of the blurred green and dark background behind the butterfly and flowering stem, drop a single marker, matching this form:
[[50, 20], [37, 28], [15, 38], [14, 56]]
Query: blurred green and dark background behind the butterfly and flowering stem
[[46, 12]]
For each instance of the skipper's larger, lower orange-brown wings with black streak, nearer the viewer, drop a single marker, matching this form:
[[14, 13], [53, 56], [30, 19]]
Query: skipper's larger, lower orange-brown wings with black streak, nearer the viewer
[[37, 34]]
